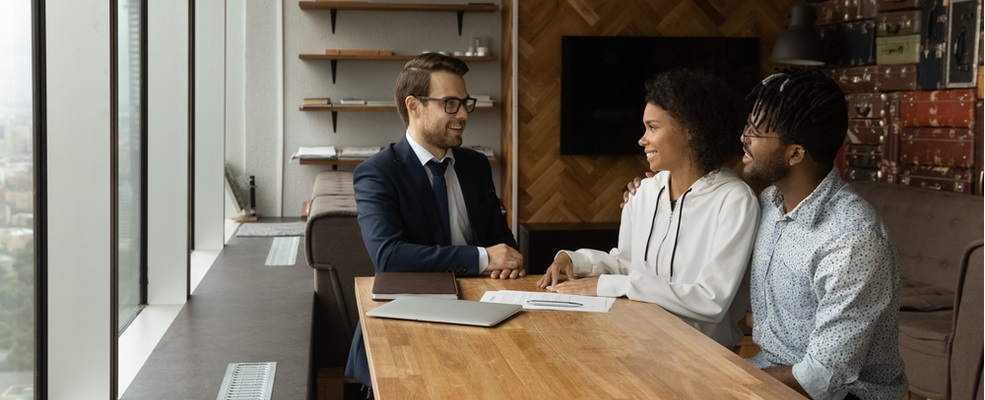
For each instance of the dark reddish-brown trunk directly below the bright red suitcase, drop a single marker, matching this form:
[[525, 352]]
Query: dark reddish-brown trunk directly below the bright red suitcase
[[944, 147]]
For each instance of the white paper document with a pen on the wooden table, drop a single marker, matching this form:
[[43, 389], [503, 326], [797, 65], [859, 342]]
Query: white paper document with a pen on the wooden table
[[549, 301]]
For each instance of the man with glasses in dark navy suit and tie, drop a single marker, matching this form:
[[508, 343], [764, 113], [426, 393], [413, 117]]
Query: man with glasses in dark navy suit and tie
[[424, 203]]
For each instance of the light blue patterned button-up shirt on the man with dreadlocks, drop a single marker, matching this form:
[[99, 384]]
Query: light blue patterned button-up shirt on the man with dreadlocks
[[825, 294]]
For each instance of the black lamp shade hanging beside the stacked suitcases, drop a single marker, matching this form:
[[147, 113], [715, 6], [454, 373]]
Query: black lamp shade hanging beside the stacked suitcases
[[799, 44]]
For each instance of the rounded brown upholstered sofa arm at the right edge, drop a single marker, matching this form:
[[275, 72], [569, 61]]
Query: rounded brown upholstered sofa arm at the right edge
[[965, 351]]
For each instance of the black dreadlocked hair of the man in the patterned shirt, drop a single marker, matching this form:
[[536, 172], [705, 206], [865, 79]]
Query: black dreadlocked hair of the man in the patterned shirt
[[805, 107]]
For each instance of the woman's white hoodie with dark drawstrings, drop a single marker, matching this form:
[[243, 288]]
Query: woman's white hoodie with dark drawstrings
[[693, 266]]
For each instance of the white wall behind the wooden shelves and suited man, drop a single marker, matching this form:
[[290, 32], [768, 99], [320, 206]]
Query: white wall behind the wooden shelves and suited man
[[269, 100]]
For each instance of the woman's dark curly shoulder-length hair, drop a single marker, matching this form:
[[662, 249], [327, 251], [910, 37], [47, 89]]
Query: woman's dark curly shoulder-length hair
[[705, 107]]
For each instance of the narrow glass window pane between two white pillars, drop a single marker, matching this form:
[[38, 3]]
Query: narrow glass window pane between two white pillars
[[130, 159]]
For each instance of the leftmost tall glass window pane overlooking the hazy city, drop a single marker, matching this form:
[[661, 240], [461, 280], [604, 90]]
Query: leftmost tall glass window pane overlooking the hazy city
[[17, 259]]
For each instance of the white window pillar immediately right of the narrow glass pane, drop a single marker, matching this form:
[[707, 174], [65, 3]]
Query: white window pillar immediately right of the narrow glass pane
[[167, 159]]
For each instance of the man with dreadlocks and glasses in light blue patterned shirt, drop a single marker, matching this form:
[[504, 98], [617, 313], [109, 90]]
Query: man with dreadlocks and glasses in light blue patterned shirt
[[824, 280]]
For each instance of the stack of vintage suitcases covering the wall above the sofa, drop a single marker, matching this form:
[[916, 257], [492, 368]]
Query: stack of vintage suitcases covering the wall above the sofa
[[908, 69]]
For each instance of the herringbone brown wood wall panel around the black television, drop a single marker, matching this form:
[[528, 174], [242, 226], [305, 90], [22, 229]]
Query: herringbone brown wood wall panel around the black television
[[555, 188]]
